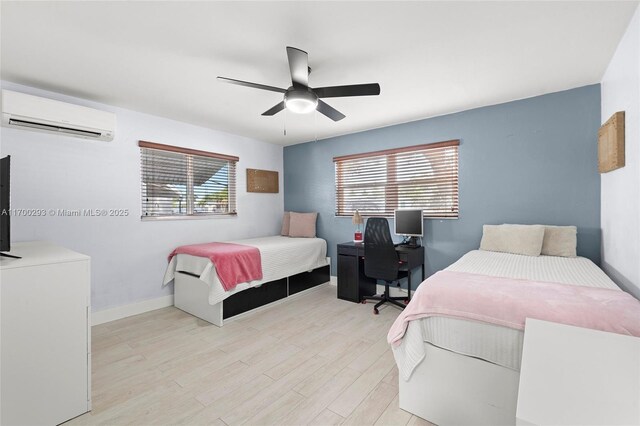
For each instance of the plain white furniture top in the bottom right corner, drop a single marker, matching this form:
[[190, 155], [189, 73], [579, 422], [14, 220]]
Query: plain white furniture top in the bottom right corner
[[577, 376]]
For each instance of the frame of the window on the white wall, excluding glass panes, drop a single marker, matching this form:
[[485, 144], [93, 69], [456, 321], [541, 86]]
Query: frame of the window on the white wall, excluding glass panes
[[190, 193]]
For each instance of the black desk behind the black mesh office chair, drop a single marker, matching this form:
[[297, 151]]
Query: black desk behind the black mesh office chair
[[353, 284]]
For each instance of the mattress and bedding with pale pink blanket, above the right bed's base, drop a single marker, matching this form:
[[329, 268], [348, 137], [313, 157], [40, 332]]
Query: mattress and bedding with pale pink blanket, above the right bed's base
[[478, 306]]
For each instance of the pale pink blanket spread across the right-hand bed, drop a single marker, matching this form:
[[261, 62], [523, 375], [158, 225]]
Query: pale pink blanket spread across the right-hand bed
[[508, 302]]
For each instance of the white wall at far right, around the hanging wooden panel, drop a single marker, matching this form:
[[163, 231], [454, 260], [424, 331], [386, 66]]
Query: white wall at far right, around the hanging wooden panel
[[620, 202]]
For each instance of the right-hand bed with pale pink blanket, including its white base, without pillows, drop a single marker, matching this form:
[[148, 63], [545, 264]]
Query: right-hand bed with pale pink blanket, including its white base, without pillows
[[458, 345]]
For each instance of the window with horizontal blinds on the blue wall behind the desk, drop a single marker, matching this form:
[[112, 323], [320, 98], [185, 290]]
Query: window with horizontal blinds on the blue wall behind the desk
[[377, 183]]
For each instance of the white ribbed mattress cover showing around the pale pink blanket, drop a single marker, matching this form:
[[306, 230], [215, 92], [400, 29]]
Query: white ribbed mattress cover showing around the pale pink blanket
[[500, 345]]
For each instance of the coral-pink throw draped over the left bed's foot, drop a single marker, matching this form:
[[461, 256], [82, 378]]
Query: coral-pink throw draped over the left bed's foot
[[235, 263]]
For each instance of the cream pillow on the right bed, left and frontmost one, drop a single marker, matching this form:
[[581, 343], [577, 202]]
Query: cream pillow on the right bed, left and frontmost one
[[516, 239]]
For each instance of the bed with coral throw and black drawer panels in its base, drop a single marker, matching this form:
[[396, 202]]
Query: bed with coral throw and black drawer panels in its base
[[206, 275]]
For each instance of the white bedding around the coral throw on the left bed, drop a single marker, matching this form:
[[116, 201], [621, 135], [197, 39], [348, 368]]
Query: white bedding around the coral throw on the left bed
[[281, 257]]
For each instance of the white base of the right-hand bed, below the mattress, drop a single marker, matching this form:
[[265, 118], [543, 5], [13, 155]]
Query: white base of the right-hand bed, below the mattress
[[447, 388]]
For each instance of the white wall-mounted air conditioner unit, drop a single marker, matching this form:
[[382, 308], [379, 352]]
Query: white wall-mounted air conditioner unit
[[28, 112]]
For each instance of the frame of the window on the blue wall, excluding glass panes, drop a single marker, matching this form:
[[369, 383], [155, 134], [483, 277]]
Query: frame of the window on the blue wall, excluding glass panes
[[391, 183]]
